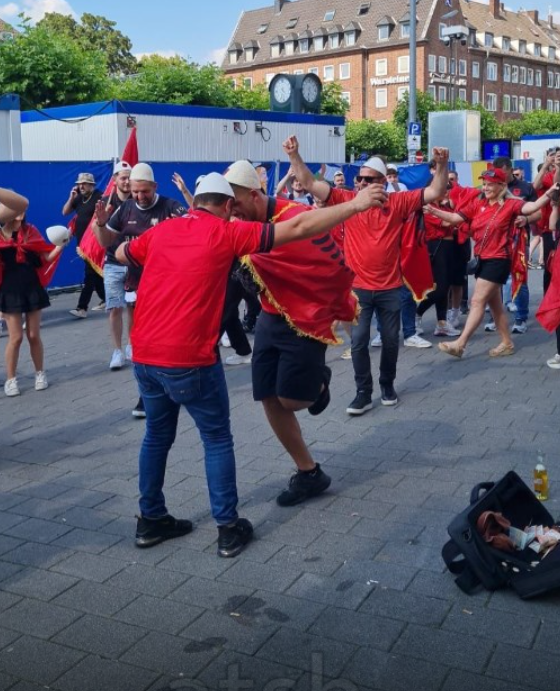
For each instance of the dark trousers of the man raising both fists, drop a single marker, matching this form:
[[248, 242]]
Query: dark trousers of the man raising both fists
[[387, 303]]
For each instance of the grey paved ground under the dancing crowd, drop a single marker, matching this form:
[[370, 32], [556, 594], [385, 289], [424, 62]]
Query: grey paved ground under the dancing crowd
[[349, 587]]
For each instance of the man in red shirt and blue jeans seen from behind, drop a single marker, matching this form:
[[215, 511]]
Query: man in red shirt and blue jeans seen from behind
[[186, 263]]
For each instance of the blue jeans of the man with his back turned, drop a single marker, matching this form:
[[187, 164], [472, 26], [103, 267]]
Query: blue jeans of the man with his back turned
[[203, 392]]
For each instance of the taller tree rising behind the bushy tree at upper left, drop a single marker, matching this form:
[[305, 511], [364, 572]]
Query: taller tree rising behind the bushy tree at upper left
[[99, 33]]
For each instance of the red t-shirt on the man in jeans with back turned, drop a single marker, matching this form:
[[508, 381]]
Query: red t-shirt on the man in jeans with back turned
[[181, 295]]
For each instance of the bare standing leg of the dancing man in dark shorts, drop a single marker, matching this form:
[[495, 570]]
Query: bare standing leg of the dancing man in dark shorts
[[281, 417]]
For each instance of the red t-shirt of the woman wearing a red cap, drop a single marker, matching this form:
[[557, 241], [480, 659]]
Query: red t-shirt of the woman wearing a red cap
[[498, 219]]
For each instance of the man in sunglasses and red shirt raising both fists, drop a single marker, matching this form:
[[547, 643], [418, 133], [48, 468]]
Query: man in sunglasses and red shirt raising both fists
[[372, 247]]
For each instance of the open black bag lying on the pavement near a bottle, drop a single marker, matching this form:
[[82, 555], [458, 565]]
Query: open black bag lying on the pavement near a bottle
[[477, 564]]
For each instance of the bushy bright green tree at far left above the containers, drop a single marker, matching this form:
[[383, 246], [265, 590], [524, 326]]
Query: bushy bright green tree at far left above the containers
[[48, 70]]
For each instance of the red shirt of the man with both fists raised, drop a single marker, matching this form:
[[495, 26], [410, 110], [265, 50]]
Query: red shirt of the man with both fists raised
[[372, 239]]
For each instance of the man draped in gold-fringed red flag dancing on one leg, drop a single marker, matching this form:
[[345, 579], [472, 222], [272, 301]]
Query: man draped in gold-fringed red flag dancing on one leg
[[306, 288]]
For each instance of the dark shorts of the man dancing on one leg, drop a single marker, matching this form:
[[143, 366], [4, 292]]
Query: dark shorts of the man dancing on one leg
[[285, 364]]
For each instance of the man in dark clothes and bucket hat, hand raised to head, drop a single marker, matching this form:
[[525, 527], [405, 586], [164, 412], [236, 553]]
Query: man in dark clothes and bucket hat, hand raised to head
[[82, 200]]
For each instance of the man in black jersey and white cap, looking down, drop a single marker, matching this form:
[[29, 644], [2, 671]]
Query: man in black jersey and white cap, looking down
[[144, 209]]
